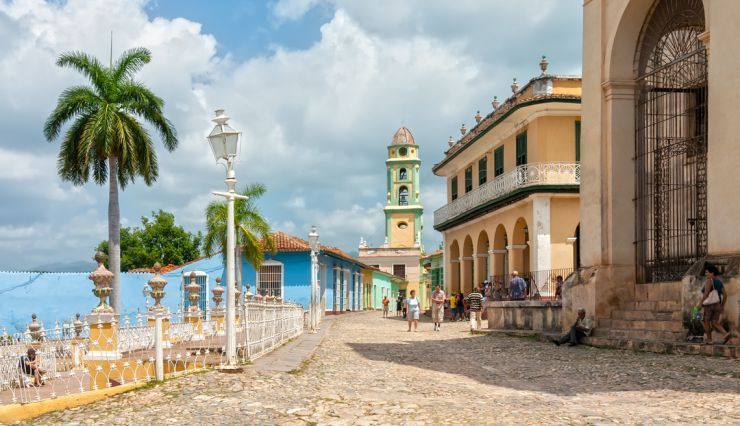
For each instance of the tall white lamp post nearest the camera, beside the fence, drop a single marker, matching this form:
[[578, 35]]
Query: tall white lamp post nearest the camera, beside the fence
[[224, 142]]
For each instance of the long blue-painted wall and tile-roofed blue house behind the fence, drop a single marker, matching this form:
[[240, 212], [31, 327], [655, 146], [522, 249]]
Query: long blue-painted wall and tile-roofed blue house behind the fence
[[287, 273]]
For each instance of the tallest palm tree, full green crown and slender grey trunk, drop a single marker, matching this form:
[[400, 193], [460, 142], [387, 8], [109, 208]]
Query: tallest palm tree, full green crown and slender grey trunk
[[106, 141]]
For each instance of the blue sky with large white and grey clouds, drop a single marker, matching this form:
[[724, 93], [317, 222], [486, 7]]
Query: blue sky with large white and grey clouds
[[318, 88]]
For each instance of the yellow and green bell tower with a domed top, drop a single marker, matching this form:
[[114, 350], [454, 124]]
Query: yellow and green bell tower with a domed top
[[403, 210]]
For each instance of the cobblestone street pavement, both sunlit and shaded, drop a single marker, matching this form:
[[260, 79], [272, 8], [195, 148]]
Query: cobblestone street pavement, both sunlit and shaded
[[369, 370]]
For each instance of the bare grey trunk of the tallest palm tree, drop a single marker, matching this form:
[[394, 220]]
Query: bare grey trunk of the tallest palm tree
[[114, 234]]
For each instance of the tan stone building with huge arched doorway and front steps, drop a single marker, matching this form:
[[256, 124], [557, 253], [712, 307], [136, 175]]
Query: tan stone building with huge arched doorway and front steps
[[659, 193]]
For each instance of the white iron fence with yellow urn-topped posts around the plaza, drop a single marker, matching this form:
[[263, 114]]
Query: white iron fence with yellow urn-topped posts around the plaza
[[73, 364]]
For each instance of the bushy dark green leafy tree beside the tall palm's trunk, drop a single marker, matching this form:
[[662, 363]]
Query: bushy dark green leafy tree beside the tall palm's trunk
[[159, 239]]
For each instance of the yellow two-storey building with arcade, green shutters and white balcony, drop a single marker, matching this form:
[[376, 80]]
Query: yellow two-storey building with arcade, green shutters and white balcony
[[512, 189]]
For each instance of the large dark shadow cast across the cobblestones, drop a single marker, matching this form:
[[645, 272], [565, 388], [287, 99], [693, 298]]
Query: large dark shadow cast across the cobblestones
[[525, 364]]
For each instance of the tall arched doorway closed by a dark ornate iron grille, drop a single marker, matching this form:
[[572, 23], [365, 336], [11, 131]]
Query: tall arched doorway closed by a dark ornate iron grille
[[671, 141]]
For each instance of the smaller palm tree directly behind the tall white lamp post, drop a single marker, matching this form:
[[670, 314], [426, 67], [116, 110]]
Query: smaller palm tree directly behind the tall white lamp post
[[252, 230]]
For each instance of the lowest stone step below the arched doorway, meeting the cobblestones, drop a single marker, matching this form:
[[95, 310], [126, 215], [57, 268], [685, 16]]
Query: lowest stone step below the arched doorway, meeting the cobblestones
[[665, 347]]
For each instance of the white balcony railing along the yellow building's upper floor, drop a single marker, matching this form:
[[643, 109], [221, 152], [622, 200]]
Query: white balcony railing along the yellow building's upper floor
[[527, 175]]
